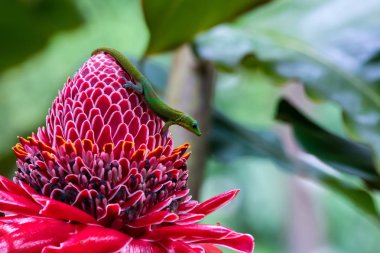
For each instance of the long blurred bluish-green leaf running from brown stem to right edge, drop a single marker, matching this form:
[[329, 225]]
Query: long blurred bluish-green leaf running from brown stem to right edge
[[230, 140]]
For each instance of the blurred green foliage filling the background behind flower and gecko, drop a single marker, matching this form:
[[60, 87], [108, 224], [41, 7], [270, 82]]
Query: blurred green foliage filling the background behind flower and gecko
[[333, 53]]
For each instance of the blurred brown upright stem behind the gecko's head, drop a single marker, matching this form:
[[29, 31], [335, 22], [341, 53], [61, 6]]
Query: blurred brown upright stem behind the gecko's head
[[190, 89]]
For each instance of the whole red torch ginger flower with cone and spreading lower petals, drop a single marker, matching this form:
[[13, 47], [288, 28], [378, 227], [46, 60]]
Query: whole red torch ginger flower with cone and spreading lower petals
[[99, 178]]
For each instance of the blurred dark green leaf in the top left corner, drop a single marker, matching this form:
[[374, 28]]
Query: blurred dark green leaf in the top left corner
[[27, 26]]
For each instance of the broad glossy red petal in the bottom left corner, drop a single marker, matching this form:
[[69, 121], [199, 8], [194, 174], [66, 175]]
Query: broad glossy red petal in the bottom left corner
[[31, 234]]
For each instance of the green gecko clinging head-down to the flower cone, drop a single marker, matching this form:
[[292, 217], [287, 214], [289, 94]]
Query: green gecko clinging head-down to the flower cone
[[168, 114]]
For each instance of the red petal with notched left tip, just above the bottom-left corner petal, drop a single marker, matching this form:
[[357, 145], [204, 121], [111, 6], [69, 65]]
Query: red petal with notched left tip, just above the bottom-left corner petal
[[59, 210]]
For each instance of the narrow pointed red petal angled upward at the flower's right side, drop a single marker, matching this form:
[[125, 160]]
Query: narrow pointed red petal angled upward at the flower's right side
[[215, 203]]
